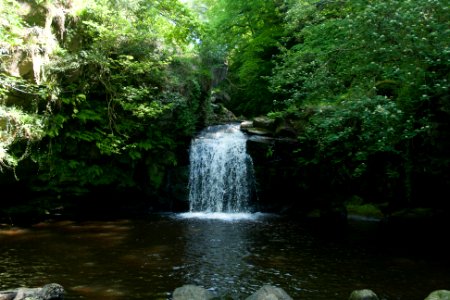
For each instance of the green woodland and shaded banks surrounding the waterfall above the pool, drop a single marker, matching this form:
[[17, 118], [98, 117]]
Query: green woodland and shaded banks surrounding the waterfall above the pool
[[99, 99]]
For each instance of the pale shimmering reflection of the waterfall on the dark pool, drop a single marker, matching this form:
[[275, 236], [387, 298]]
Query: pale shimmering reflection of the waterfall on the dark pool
[[215, 252]]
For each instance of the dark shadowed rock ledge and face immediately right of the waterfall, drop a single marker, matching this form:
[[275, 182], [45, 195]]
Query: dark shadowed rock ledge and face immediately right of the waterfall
[[280, 174]]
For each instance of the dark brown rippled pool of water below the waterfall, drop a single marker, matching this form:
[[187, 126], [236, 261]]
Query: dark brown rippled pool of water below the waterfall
[[148, 259]]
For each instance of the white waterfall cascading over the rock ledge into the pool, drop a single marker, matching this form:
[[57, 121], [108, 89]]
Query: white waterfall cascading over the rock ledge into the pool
[[221, 171]]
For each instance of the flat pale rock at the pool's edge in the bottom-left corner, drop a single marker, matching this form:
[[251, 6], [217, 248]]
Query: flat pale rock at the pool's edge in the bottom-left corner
[[52, 291]]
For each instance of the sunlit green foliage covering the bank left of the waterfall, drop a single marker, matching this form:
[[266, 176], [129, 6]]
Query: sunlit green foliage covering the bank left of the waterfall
[[119, 100]]
